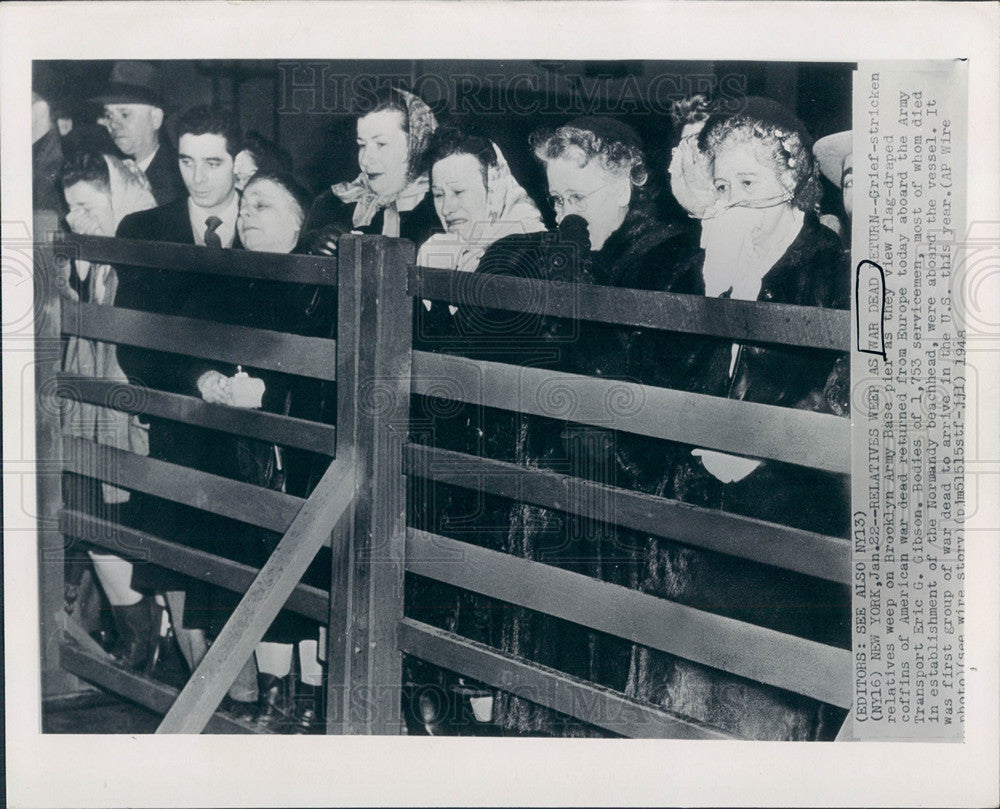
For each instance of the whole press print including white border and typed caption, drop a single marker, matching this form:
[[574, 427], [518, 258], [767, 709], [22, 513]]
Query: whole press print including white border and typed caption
[[495, 402]]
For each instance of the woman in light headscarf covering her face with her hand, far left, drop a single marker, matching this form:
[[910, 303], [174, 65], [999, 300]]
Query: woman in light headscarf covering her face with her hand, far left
[[100, 191]]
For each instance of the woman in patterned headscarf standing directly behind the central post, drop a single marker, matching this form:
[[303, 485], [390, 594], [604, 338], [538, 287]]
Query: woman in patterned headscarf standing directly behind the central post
[[390, 196]]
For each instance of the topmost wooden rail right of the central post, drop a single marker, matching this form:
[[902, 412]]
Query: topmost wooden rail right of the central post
[[754, 321]]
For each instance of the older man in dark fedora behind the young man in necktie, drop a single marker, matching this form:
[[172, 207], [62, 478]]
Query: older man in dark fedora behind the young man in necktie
[[133, 113]]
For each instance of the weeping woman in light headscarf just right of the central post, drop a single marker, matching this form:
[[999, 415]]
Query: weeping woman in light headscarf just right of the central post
[[478, 201]]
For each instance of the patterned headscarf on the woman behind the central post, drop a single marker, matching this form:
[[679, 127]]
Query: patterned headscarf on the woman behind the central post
[[420, 123]]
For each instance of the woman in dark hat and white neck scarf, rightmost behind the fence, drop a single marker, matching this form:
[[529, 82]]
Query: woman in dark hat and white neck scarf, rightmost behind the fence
[[751, 180]]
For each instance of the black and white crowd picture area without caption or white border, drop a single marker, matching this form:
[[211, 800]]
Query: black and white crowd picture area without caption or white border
[[523, 477]]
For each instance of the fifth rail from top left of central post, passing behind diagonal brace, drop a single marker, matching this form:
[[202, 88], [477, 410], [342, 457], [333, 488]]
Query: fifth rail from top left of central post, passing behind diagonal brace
[[134, 545]]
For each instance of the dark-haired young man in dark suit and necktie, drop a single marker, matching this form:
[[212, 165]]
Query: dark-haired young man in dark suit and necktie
[[208, 142]]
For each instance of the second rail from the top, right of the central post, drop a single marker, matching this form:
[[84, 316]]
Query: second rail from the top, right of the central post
[[743, 428]]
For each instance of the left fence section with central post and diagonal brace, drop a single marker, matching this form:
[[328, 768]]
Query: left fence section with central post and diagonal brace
[[357, 499]]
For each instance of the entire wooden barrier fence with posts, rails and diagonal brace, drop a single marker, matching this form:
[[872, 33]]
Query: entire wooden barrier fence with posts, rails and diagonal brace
[[359, 507]]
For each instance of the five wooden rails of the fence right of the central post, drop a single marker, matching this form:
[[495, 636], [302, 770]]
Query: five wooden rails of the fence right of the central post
[[794, 436]]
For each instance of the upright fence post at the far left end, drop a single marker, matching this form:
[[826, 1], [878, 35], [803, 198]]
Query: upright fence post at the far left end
[[48, 465]]
